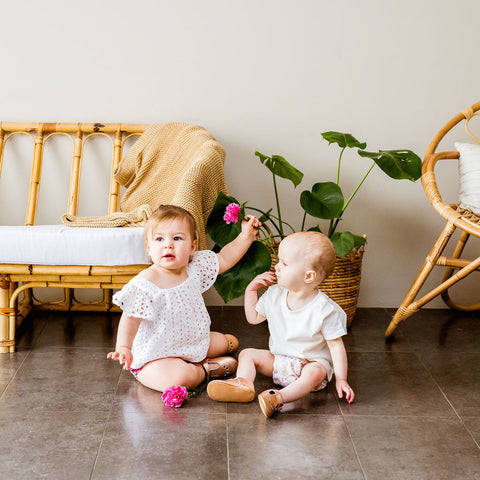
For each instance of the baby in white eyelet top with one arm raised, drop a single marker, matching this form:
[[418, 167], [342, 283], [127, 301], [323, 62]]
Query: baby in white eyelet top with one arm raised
[[164, 333]]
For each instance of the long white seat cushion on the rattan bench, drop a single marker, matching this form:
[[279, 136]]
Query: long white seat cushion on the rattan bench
[[62, 245]]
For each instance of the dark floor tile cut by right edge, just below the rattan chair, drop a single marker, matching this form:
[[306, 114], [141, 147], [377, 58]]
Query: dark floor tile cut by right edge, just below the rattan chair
[[458, 375]]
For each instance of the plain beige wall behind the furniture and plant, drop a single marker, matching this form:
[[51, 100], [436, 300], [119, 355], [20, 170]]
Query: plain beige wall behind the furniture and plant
[[269, 76]]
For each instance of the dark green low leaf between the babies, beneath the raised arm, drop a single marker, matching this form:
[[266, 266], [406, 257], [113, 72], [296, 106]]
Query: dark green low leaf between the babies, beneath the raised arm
[[232, 283]]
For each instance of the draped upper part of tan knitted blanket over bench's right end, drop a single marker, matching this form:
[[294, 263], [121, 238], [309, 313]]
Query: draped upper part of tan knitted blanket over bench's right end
[[174, 163]]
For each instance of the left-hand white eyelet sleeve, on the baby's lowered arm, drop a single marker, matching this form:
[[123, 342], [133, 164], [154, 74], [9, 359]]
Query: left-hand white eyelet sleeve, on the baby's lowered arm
[[135, 301]]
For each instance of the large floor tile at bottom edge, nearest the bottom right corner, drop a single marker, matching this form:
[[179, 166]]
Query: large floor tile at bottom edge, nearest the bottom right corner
[[413, 448]]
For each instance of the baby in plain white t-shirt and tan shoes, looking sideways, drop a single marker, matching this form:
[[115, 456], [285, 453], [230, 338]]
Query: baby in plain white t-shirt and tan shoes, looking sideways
[[306, 329]]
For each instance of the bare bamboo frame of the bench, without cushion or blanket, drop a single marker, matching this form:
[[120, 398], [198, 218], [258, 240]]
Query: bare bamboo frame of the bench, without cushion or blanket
[[17, 280]]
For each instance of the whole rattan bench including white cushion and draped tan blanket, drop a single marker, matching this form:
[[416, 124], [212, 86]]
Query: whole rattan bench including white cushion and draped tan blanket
[[157, 164]]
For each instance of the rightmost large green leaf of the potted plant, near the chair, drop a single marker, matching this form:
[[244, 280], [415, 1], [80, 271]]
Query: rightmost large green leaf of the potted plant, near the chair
[[397, 164]]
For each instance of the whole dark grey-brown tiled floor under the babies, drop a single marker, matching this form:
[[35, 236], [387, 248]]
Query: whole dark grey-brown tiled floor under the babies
[[66, 412]]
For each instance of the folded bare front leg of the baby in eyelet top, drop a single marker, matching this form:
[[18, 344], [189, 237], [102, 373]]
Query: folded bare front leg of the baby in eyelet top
[[165, 372]]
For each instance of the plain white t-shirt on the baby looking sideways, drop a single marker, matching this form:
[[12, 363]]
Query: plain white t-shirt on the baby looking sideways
[[301, 333]]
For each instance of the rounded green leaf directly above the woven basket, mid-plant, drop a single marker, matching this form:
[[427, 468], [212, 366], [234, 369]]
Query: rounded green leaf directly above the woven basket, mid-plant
[[324, 201]]
